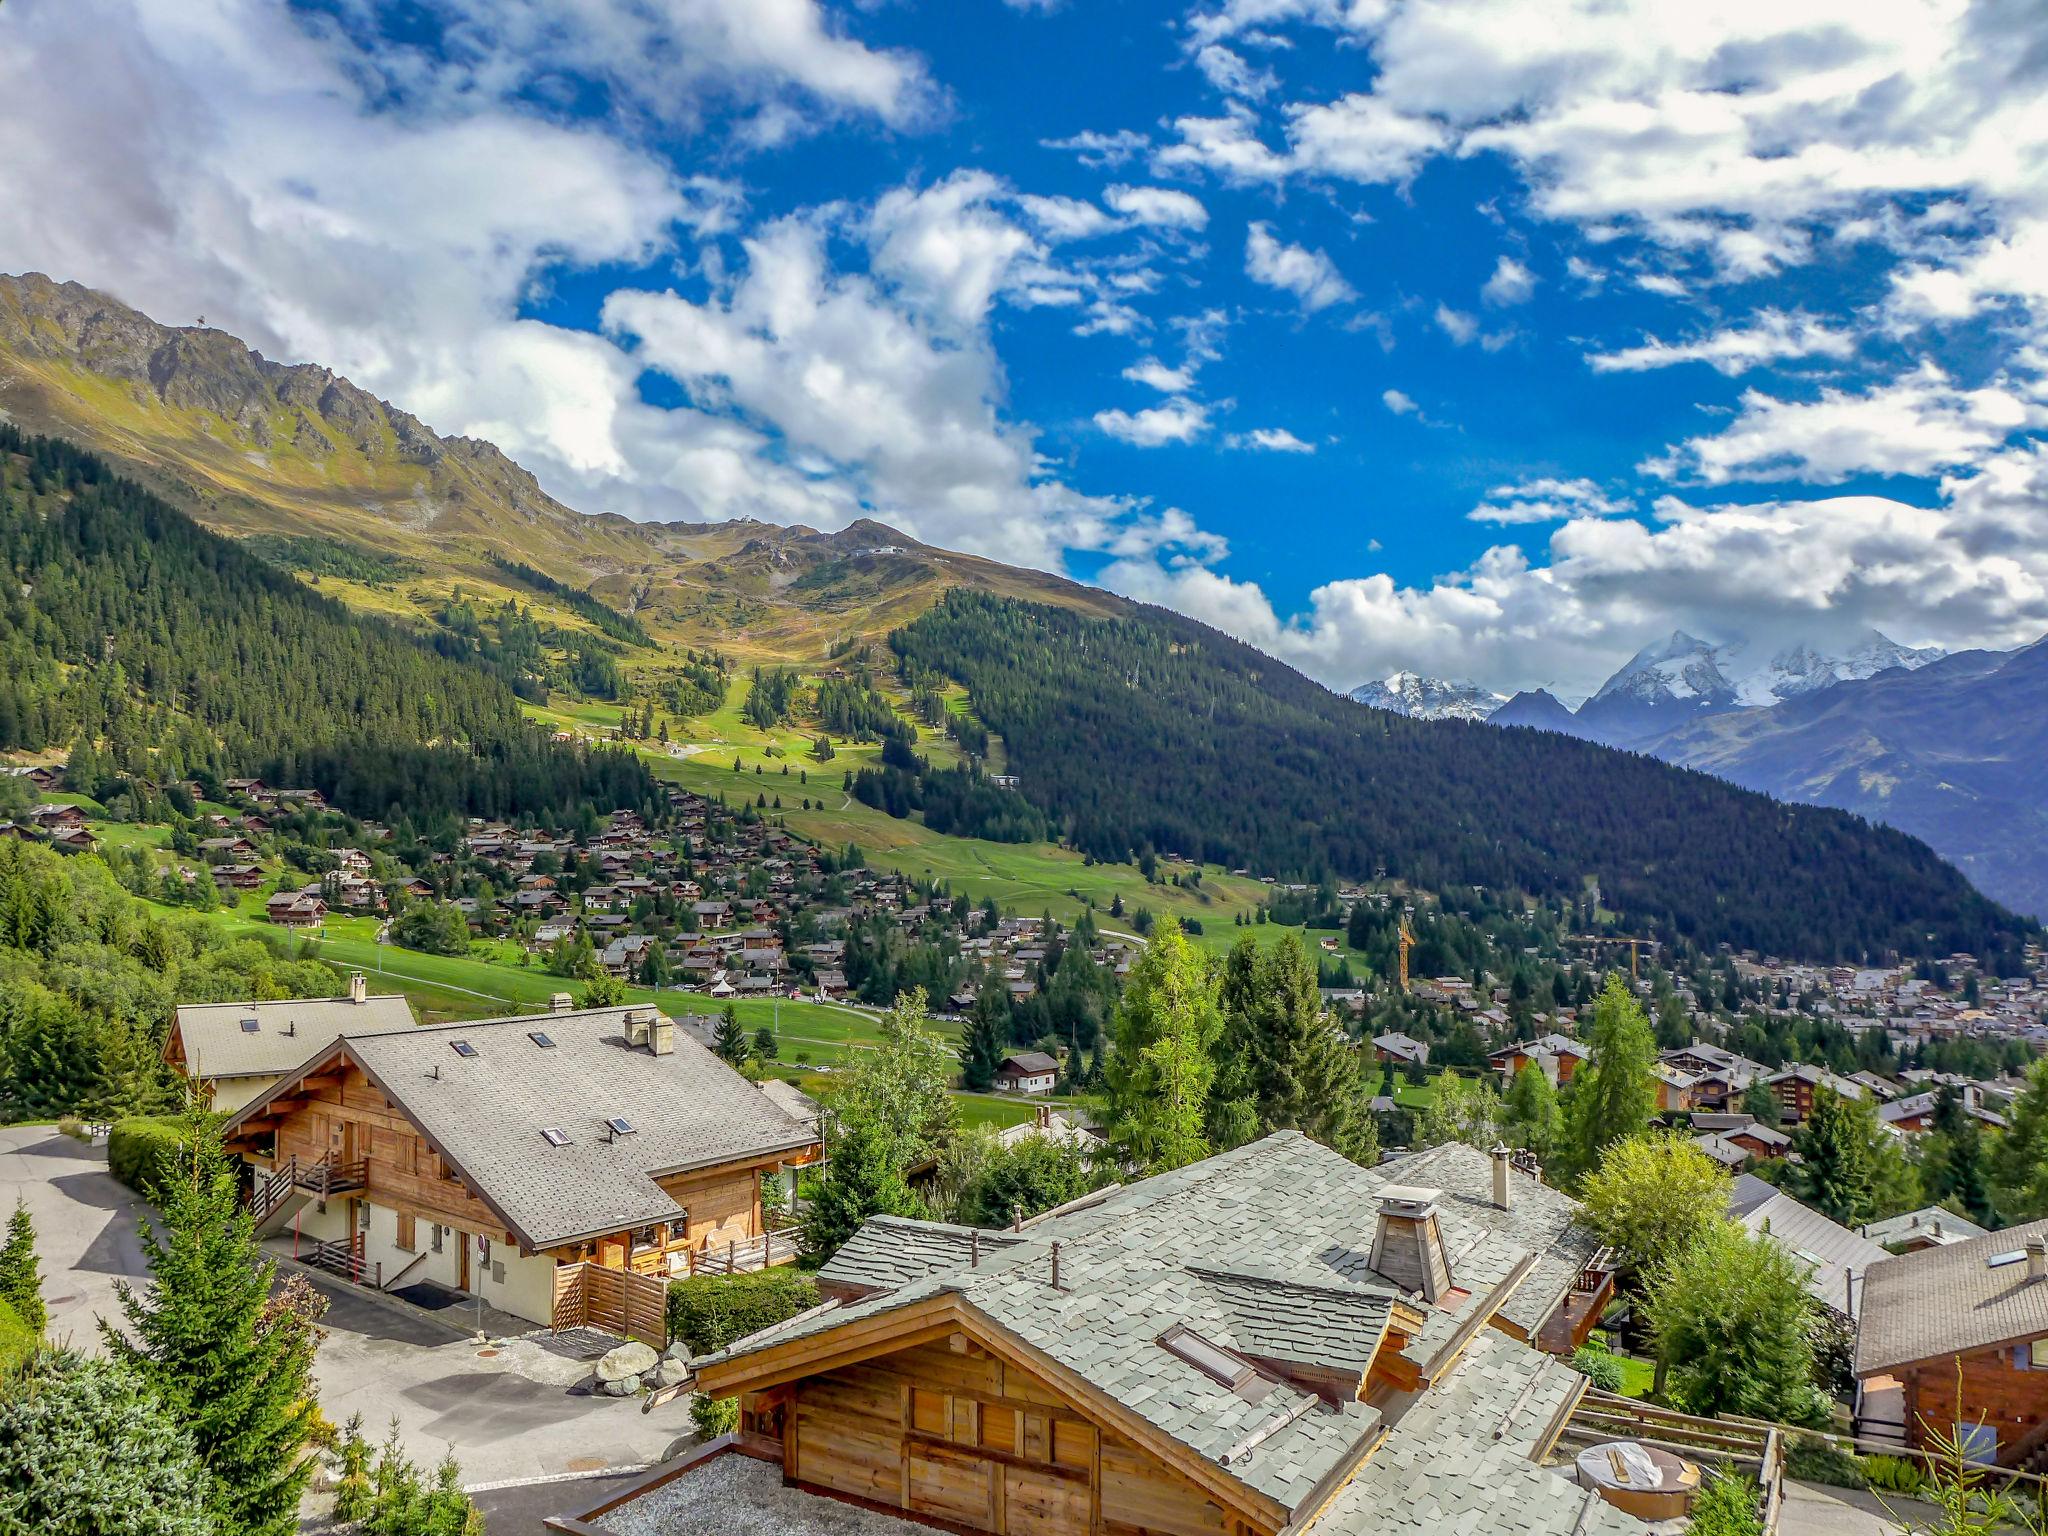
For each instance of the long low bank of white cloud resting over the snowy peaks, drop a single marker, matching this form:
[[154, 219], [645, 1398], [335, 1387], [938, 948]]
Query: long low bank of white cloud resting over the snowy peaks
[[1969, 572]]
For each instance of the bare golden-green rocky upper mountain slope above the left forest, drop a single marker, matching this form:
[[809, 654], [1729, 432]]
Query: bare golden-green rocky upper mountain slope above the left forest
[[255, 447]]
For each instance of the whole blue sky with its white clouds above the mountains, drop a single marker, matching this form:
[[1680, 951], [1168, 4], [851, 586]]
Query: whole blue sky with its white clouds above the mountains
[[1482, 337]]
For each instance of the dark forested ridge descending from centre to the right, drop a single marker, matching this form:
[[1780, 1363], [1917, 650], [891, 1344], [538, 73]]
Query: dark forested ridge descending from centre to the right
[[1158, 732]]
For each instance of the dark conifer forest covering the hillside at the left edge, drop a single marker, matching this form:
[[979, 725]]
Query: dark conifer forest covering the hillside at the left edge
[[177, 652]]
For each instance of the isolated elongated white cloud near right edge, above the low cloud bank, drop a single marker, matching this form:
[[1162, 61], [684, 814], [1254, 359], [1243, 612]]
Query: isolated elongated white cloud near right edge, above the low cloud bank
[[1918, 425]]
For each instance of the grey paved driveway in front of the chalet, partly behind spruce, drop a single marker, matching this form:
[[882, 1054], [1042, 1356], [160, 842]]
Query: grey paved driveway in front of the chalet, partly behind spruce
[[507, 1414]]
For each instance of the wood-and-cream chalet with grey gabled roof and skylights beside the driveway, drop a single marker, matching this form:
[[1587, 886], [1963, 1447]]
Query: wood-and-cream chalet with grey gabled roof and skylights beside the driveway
[[497, 1158]]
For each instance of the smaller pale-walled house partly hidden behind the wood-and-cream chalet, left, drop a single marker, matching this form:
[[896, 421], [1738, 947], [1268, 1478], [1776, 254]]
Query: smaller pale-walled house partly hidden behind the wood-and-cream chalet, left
[[232, 1054]]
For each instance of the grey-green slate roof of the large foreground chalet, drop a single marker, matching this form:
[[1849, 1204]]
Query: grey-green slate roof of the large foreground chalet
[[1265, 1252]]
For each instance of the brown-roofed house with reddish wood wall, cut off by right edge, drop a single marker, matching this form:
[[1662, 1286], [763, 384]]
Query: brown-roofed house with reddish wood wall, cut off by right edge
[[1963, 1332]]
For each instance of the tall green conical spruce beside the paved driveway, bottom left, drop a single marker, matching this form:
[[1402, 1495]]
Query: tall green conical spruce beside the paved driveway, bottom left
[[232, 1363]]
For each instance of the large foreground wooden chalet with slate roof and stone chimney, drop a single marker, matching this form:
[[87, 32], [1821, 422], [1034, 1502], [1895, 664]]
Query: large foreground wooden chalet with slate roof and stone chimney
[[1125, 1367]]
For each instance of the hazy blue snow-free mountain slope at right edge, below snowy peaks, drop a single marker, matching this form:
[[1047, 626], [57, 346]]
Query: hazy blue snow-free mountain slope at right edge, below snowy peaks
[[1951, 753]]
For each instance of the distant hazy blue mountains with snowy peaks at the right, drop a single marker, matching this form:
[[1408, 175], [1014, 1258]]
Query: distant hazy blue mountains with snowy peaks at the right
[[1949, 749]]
